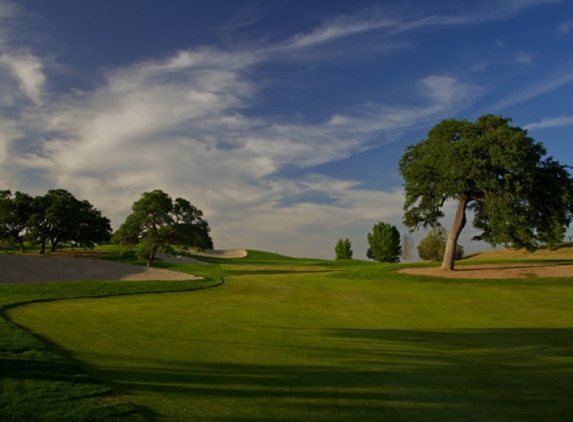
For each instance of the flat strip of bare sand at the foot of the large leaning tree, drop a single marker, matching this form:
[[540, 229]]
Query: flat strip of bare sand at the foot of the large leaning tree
[[496, 271]]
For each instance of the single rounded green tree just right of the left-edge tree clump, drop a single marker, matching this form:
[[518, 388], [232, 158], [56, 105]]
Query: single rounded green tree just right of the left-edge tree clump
[[158, 222]]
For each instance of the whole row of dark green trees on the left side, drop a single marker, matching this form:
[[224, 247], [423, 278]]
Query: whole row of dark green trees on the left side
[[157, 222]]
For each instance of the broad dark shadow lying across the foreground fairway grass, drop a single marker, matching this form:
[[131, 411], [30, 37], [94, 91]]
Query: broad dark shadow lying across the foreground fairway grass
[[371, 375]]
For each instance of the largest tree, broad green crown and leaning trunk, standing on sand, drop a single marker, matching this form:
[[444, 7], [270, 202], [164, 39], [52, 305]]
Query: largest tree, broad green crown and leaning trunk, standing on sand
[[519, 197]]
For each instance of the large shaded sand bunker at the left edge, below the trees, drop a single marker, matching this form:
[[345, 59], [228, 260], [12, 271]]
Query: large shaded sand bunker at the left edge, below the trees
[[34, 269]]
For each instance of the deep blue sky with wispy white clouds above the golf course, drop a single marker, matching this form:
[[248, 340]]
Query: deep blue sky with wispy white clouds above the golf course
[[283, 120]]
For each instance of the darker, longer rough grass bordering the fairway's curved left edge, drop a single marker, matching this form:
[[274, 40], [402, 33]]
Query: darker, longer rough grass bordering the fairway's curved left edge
[[38, 384]]
